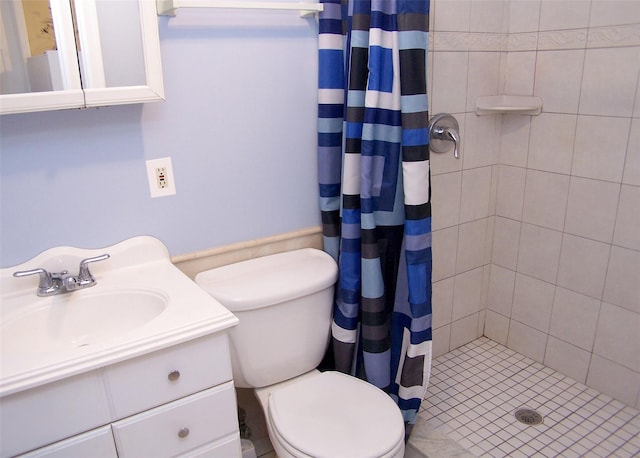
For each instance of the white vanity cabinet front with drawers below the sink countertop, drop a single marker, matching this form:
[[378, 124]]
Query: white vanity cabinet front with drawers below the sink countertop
[[172, 402]]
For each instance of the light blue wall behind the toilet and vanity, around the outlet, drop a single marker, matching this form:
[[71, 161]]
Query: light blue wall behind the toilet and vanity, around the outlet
[[238, 123]]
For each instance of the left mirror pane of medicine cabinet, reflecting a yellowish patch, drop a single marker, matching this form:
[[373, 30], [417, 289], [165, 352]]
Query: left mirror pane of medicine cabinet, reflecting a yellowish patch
[[29, 60]]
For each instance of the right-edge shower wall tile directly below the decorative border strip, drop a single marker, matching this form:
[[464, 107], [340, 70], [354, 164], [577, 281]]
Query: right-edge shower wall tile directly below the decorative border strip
[[616, 97]]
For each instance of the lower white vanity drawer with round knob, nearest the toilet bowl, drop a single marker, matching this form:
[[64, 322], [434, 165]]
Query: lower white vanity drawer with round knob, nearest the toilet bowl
[[180, 426]]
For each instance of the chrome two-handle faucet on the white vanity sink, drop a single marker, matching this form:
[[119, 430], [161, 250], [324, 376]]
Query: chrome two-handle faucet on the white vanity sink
[[61, 282]]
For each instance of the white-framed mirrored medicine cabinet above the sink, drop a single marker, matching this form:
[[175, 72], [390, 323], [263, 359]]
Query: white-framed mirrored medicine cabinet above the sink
[[57, 54]]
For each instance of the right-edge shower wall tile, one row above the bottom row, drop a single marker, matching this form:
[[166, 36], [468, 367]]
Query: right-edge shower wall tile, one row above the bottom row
[[617, 336]]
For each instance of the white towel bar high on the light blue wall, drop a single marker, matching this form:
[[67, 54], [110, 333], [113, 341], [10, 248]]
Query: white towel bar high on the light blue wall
[[168, 7]]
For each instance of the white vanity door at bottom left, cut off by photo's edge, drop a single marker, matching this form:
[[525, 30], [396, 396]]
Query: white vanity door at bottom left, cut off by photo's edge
[[96, 444]]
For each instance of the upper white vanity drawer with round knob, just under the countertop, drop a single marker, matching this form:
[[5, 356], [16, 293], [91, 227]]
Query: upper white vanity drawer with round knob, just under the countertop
[[163, 376]]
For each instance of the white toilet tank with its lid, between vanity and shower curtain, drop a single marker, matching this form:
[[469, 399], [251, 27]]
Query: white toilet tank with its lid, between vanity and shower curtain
[[284, 304]]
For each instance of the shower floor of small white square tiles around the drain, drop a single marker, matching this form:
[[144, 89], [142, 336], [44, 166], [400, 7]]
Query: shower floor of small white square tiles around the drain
[[475, 390]]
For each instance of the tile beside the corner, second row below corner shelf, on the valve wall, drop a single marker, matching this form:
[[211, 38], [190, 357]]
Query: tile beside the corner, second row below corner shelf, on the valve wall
[[476, 192]]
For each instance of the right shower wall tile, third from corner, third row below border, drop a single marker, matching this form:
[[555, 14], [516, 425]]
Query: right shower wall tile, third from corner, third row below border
[[591, 209]]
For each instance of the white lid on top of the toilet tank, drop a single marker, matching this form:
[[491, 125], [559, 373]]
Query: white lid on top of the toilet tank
[[269, 280]]
